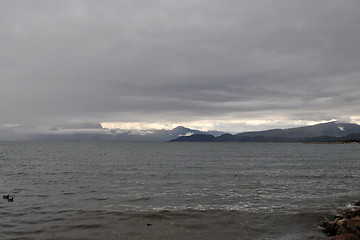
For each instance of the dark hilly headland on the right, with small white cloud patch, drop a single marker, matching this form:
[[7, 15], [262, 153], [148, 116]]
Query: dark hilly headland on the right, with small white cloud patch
[[326, 132]]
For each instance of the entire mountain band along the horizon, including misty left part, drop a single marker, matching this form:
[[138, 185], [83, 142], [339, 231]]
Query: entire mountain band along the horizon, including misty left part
[[326, 132]]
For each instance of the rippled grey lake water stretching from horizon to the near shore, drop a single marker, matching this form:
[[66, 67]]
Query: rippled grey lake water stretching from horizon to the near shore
[[116, 190]]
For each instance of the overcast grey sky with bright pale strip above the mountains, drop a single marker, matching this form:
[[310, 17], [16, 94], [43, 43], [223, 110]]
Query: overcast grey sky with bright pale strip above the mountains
[[231, 64]]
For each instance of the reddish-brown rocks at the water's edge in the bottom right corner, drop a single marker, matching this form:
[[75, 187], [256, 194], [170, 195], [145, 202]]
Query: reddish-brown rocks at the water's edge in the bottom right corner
[[344, 226]]
